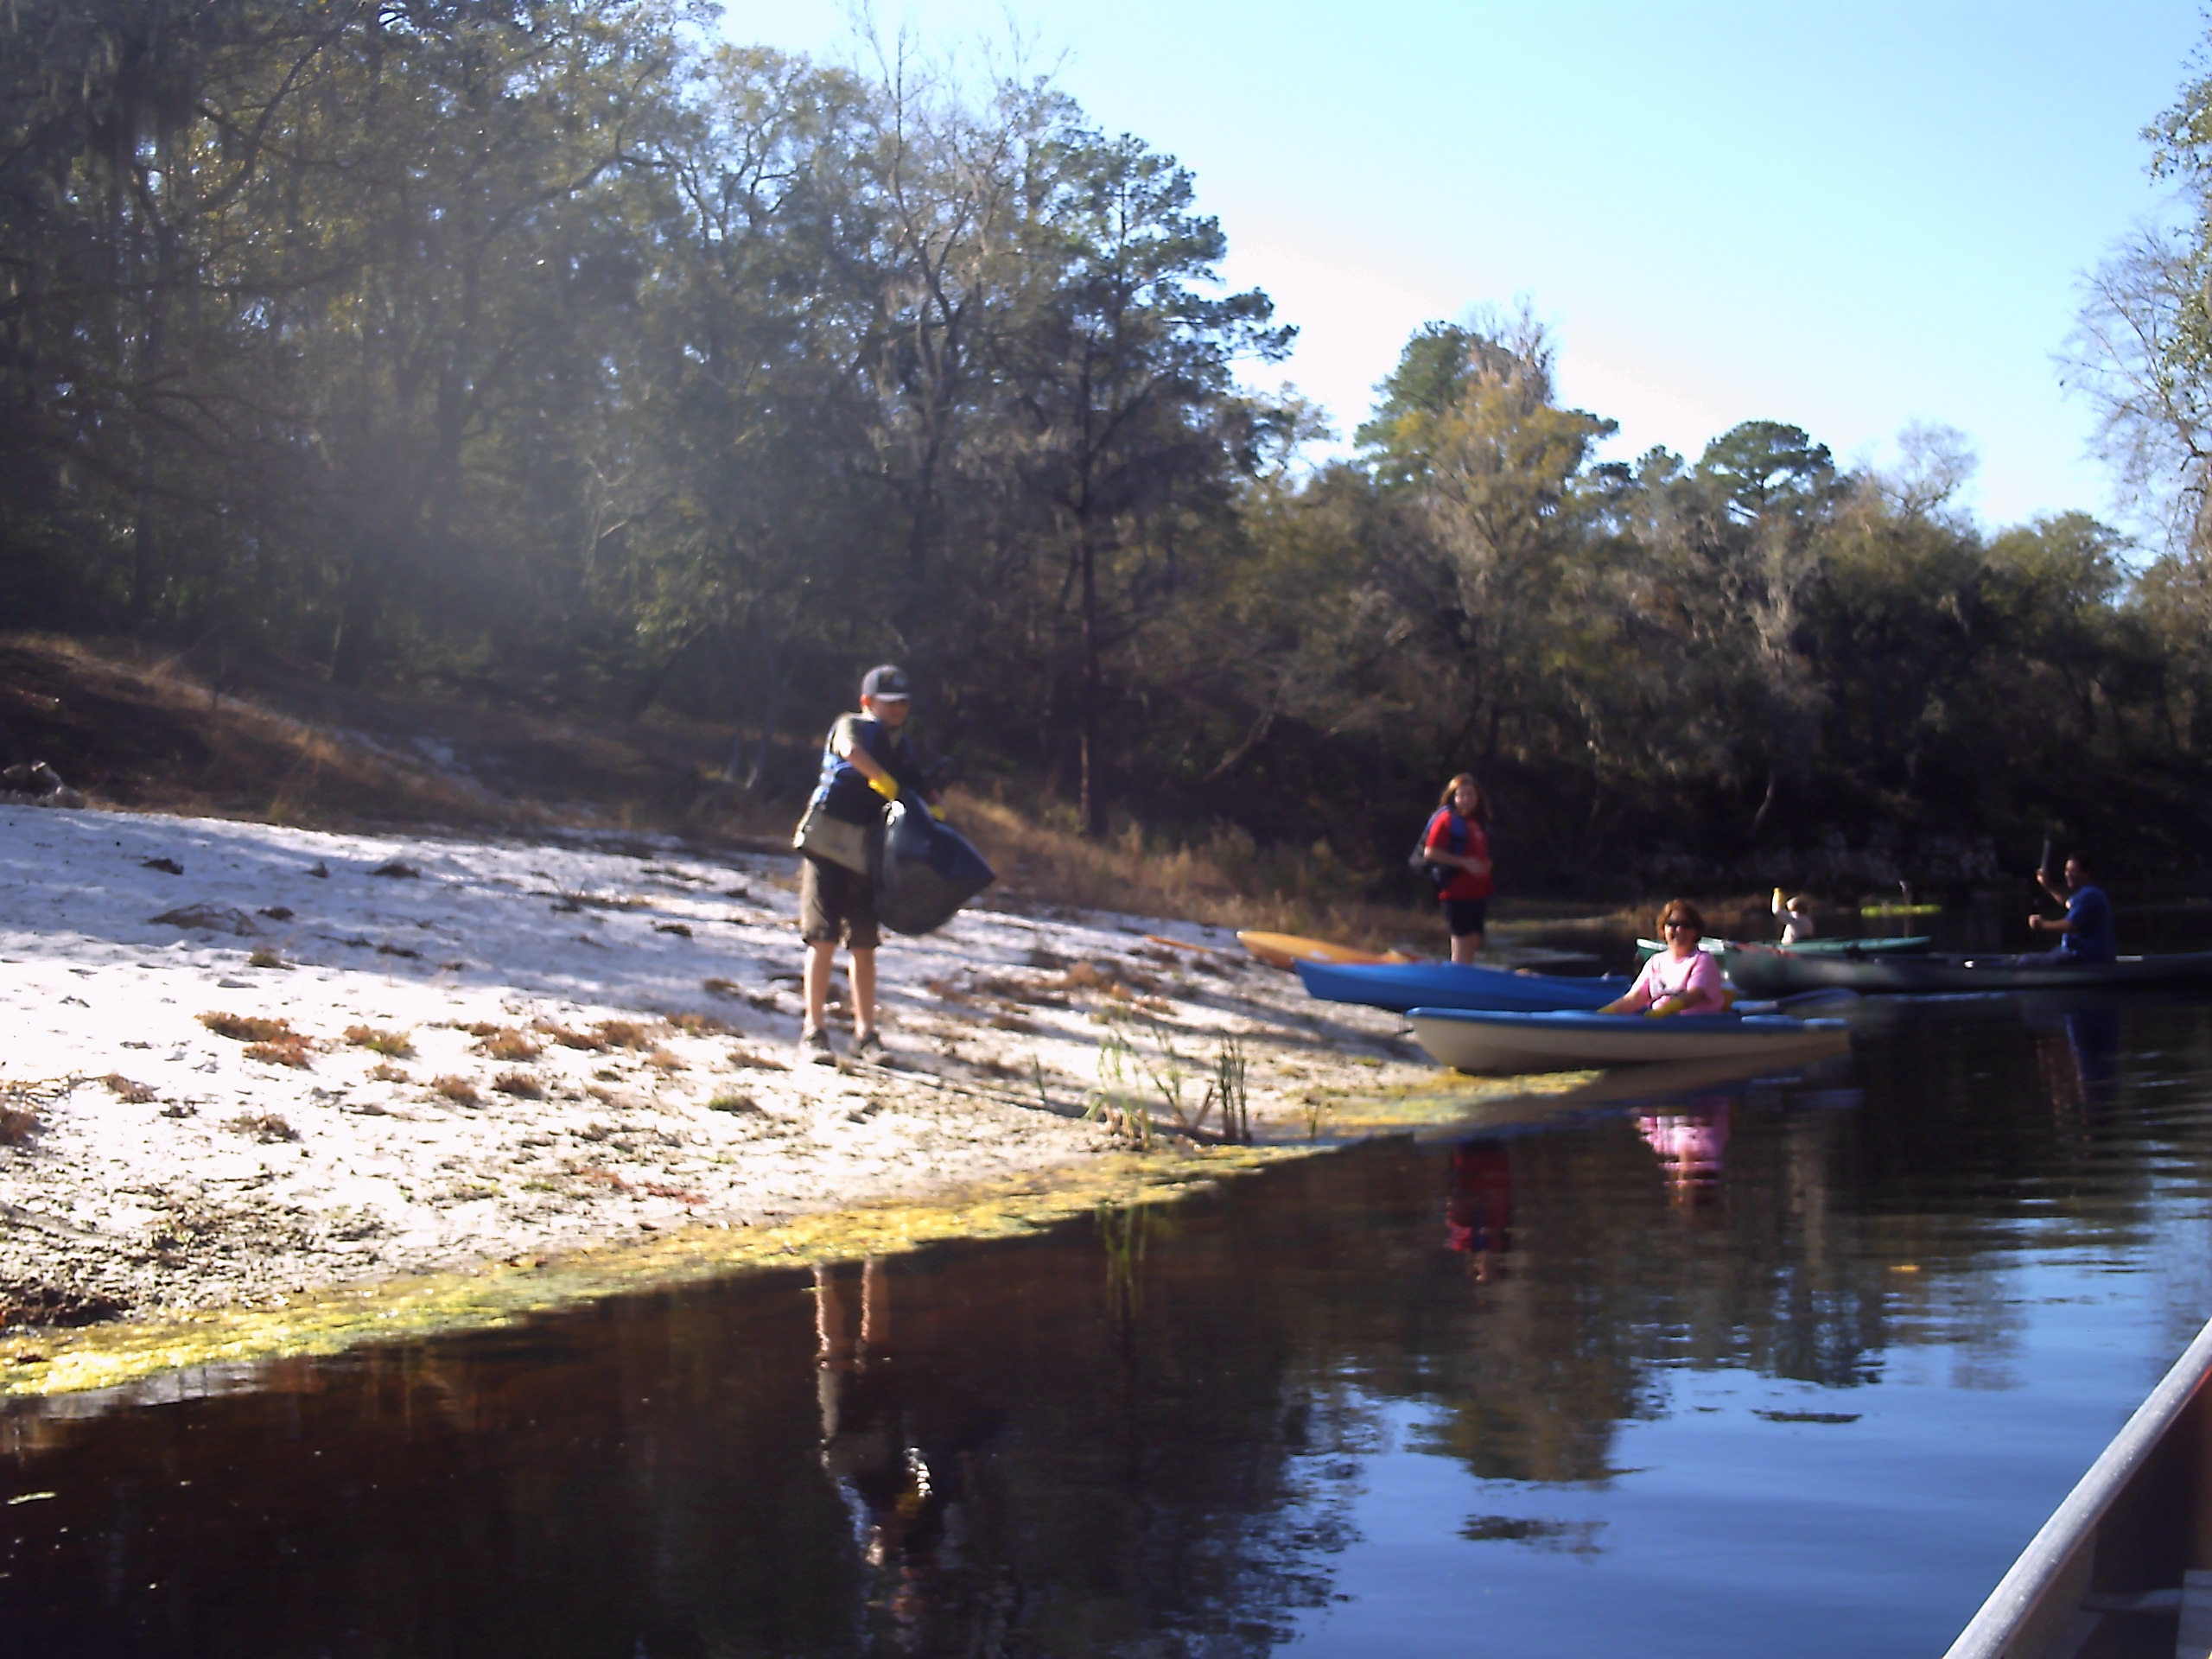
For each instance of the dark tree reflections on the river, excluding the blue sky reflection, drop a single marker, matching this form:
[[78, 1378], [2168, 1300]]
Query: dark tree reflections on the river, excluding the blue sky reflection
[[1131, 1437]]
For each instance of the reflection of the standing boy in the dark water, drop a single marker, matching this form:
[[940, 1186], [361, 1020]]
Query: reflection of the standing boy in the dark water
[[866, 1450]]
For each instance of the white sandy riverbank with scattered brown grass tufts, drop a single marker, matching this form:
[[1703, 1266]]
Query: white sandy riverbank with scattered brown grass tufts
[[249, 1063]]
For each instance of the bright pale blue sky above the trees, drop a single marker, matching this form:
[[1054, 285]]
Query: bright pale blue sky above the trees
[[1839, 218]]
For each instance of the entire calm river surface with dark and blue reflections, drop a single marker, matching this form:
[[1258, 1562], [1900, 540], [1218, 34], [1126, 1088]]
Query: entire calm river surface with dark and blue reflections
[[1788, 1366]]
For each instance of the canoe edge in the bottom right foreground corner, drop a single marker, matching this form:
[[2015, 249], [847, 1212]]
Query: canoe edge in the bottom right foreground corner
[[2127, 1547]]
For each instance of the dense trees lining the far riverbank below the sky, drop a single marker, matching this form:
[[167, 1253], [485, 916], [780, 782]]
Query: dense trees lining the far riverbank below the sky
[[534, 348]]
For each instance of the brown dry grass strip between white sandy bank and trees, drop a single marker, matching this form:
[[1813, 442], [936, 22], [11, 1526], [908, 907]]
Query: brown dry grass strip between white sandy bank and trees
[[143, 729]]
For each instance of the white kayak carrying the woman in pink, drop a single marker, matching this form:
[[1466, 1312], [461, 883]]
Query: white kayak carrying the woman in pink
[[1569, 1041]]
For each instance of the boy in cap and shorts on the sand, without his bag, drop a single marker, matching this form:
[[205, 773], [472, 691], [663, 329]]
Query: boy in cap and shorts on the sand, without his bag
[[868, 762]]
